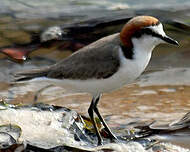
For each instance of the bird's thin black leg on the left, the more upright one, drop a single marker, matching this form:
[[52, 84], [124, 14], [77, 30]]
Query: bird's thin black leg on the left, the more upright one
[[91, 114]]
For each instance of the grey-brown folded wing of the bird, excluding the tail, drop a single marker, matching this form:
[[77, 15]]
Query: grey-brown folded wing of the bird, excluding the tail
[[95, 61]]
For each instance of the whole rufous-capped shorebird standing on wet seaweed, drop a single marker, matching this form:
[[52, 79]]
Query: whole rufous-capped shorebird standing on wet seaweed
[[106, 64]]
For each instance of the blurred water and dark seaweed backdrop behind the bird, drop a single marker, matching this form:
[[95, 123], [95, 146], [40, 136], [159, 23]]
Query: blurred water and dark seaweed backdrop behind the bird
[[39, 33]]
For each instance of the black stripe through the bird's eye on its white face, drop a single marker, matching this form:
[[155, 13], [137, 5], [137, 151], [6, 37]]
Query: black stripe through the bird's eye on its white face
[[146, 31]]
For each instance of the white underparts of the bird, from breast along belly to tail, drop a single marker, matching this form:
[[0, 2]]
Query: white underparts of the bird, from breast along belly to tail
[[127, 73]]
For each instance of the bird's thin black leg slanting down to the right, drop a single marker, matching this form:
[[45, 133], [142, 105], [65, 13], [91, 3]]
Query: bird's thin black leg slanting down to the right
[[112, 136]]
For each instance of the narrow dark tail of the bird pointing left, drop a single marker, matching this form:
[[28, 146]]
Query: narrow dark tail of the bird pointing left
[[30, 74]]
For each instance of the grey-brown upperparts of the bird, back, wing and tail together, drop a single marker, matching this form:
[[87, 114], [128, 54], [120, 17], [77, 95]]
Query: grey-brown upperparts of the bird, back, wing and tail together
[[97, 60]]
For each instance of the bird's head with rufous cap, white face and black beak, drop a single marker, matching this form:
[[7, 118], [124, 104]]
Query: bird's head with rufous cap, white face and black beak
[[145, 32]]
